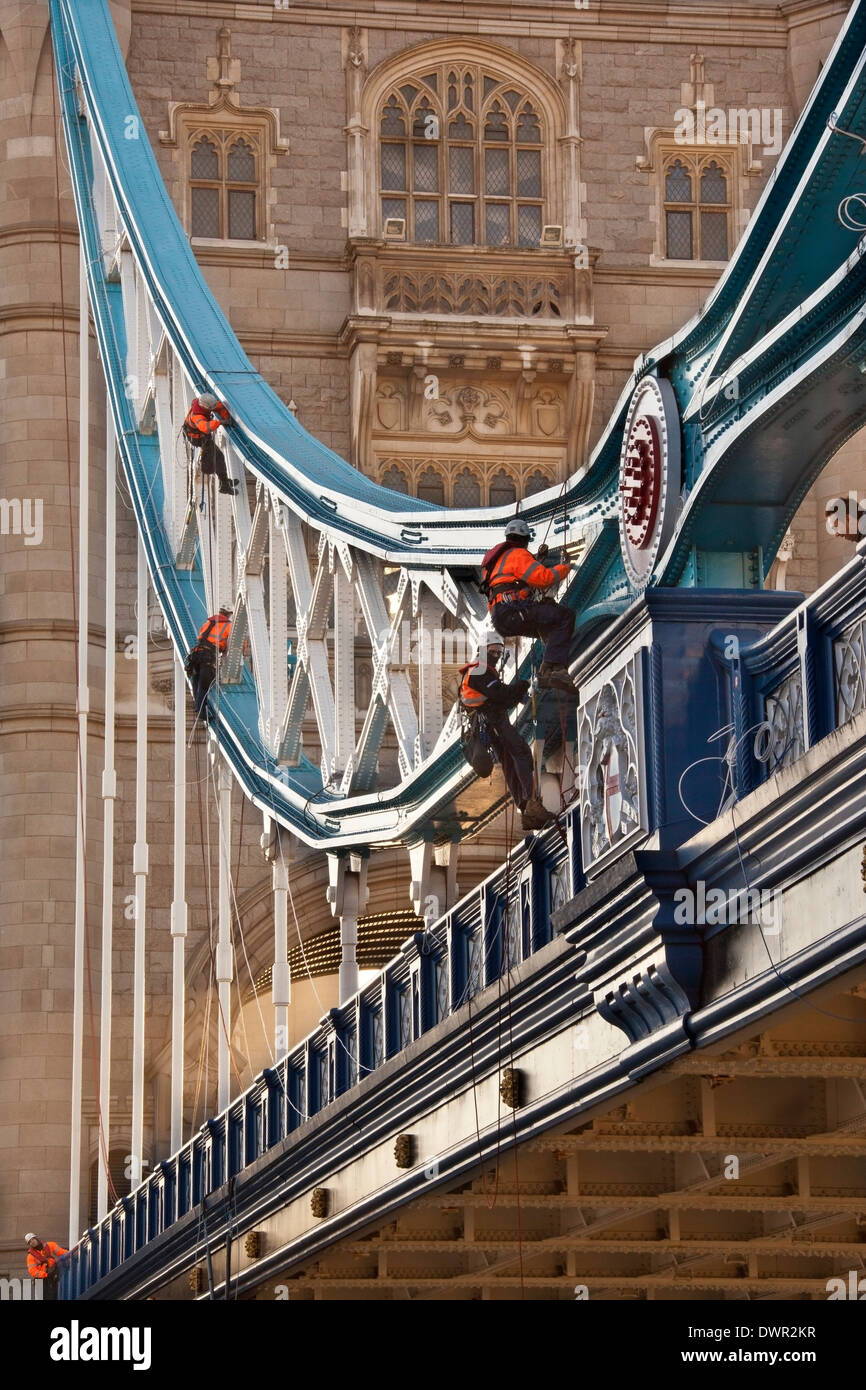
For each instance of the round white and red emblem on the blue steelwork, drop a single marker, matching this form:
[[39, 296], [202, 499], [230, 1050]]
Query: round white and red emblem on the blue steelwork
[[650, 477]]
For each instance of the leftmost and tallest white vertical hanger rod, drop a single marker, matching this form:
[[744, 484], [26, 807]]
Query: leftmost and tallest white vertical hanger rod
[[81, 800]]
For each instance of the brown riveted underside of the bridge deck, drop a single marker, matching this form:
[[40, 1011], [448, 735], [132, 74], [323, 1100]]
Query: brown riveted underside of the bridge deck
[[730, 1177]]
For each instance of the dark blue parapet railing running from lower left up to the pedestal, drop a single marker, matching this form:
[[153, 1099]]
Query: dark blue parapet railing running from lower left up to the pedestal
[[288, 1103]]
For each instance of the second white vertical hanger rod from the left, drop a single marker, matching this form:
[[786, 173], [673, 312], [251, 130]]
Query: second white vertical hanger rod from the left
[[109, 794]]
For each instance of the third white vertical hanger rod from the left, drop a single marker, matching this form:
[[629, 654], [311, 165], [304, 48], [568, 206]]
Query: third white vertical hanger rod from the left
[[140, 868]]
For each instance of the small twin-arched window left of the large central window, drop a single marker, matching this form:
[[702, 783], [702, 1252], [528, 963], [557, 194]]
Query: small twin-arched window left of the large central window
[[224, 186]]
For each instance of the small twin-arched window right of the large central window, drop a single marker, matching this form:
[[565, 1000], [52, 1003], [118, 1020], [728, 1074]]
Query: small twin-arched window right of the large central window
[[697, 208]]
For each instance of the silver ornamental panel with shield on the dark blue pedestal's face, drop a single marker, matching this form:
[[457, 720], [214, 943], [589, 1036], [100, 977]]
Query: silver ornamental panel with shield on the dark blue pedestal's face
[[610, 736]]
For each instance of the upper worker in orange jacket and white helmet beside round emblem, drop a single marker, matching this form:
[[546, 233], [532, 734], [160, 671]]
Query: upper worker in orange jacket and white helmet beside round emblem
[[516, 584]]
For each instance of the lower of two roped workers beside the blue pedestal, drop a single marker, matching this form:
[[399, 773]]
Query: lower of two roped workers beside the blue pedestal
[[487, 700]]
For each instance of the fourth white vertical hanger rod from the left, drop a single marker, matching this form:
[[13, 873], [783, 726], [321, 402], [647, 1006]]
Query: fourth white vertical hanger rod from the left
[[179, 908]]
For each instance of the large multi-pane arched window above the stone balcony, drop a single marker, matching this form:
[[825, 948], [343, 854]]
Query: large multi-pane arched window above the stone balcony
[[461, 159]]
